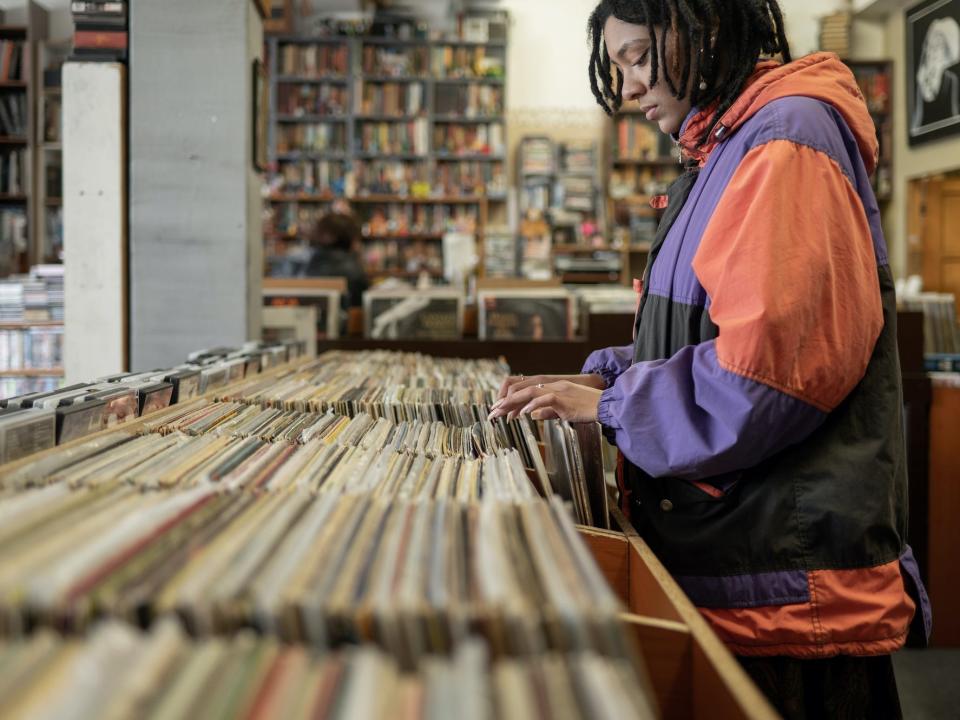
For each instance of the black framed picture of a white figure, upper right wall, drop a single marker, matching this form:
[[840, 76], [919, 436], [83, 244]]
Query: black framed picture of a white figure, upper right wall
[[933, 70]]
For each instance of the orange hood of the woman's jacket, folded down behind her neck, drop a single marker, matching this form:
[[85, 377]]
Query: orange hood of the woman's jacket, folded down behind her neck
[[821, 76]]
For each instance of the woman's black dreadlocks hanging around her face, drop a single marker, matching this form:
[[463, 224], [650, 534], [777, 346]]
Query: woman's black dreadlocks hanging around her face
[[745, 30]]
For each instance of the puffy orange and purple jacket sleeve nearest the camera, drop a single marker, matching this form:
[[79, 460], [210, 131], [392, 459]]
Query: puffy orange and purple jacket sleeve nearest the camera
[[794, 290]]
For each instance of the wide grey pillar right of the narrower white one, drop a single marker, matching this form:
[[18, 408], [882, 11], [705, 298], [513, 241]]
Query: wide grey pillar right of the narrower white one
[[195, 234]]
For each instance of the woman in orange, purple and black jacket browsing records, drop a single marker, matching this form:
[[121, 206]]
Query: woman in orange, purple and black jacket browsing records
[[759, 408]]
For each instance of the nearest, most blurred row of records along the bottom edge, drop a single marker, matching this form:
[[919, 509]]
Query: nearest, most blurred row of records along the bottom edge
[[119, 672]]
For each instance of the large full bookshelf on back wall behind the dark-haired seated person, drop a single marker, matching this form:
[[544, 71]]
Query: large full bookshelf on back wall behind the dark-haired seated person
[[410, 131]]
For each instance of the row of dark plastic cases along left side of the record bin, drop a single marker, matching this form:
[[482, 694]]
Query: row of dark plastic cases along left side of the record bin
[[34, 422]]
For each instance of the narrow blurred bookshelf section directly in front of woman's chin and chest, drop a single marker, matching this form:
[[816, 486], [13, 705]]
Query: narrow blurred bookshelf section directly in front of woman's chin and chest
[[641, 165]]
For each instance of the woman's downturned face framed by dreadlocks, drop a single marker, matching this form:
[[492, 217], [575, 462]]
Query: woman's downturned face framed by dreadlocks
[[629, 48]]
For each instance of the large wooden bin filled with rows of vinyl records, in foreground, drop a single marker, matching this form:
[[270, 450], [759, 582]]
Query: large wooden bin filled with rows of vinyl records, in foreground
[[339, 536]]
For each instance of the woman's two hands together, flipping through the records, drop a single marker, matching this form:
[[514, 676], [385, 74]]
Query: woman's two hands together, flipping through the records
[[562, 399]]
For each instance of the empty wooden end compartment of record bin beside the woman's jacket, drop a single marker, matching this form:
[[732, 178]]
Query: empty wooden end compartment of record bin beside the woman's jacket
[[692, 673]]
